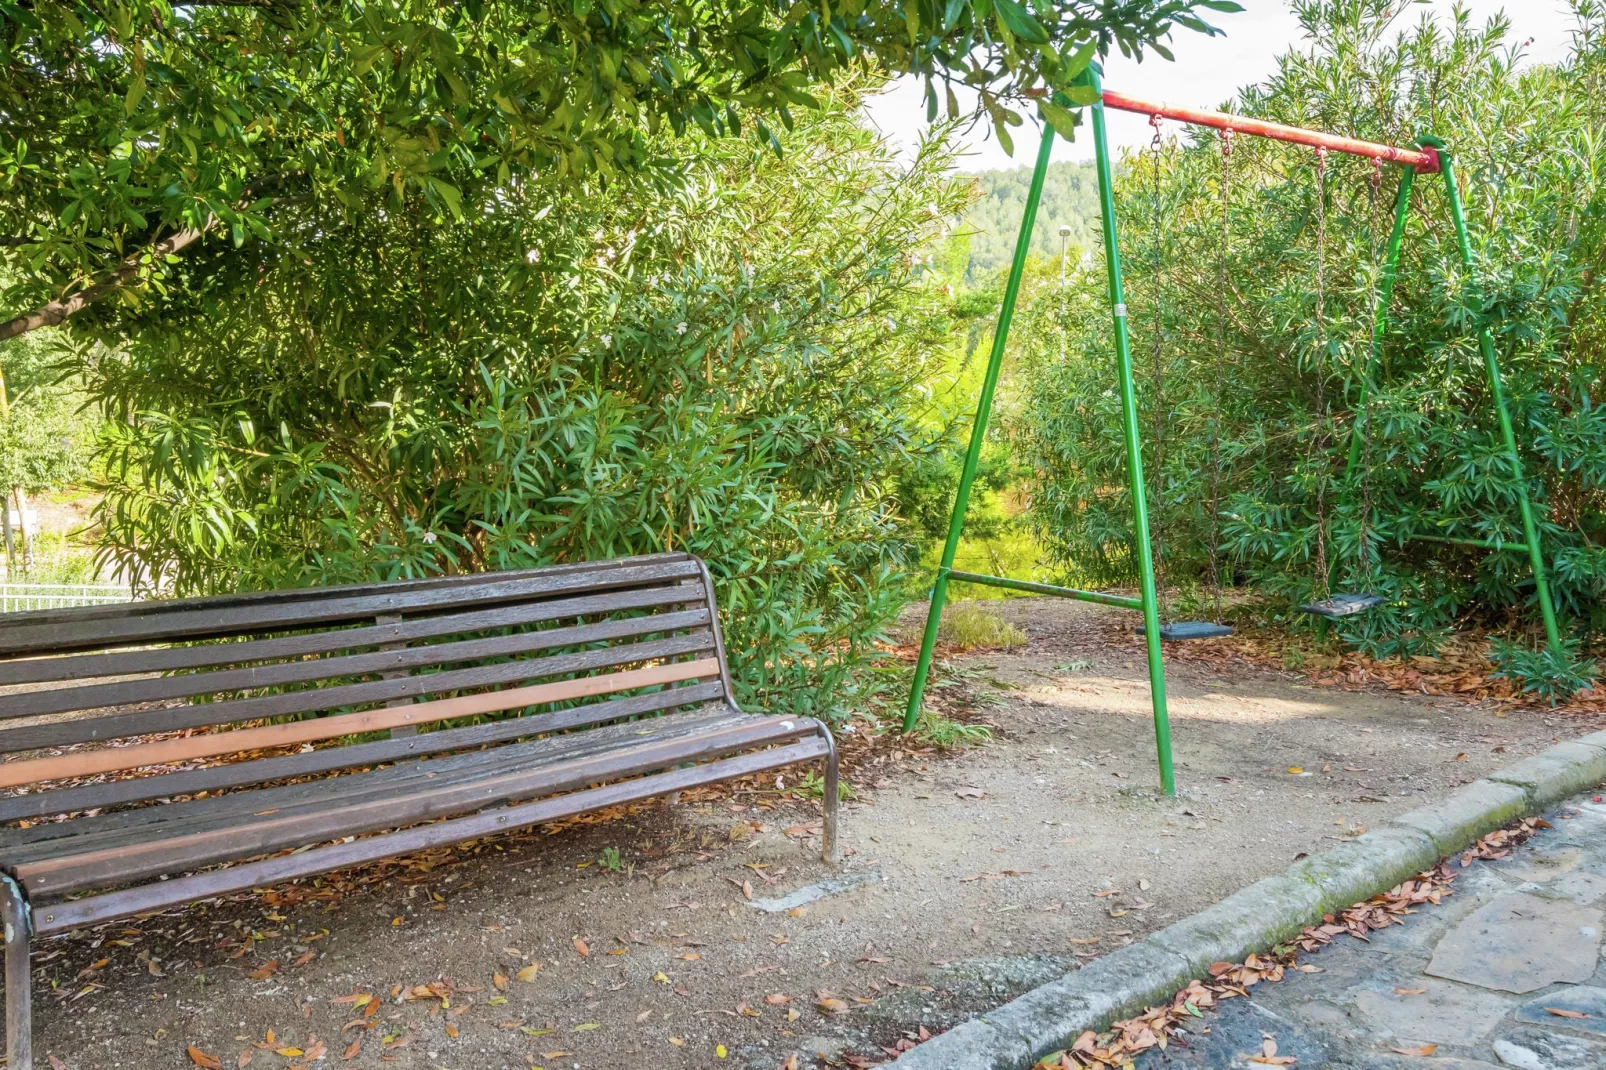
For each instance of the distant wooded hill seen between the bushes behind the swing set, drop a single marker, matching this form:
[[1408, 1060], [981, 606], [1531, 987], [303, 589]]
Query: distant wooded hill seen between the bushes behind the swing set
[[1070, 197]]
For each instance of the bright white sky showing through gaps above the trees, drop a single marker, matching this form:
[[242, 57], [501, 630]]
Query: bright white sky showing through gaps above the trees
[[1207, 73]]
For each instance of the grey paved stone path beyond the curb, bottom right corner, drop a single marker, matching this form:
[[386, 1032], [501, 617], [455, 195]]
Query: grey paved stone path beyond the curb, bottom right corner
[[1470, 986]]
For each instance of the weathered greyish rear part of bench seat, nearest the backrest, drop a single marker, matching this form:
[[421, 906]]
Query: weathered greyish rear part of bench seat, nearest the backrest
[[317, 796]]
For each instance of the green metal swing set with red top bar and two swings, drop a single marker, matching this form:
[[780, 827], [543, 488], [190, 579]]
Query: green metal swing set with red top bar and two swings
[[1429, 158]]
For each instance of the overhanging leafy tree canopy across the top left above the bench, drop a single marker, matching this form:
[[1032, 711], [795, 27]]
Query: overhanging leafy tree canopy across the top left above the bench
[[132, 131]]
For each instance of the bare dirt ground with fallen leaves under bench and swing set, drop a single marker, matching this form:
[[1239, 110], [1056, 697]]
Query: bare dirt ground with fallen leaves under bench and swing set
[[966, 881]]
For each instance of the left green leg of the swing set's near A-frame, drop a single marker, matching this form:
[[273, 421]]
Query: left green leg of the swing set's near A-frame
[[979, 431]]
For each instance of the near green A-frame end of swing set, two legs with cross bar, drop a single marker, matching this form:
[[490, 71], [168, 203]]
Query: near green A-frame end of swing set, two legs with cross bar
[[1147, 602]]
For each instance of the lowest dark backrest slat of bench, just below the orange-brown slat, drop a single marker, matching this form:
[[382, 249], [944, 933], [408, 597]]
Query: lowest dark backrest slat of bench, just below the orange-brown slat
[[348, 756]]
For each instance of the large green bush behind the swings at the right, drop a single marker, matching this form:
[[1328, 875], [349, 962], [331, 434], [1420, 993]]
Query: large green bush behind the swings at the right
[[1531, 158]]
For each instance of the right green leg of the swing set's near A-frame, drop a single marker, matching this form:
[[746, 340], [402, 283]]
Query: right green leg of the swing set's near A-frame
[[1135, 454]]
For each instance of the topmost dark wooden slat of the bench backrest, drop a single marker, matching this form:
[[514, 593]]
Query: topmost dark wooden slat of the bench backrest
[[177, 624]]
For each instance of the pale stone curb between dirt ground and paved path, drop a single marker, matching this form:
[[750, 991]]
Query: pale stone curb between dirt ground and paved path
[[1266, 913]]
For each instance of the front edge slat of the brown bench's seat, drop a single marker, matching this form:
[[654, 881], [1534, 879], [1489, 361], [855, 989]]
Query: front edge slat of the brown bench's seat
[[269, 872]]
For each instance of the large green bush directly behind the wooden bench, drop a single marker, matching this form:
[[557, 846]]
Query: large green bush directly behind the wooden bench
[[730, 366]]
